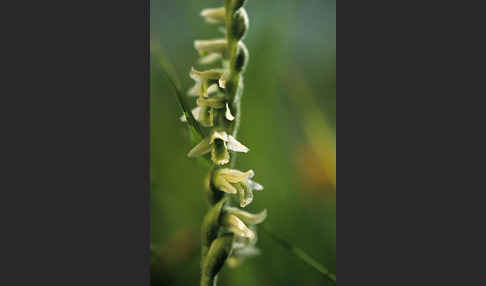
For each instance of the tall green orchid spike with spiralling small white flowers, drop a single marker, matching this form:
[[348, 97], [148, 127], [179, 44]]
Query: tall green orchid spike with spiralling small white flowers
[[228, 233]]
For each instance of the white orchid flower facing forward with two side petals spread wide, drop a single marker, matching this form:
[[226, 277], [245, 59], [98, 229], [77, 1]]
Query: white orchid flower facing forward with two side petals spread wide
[[218, 143]]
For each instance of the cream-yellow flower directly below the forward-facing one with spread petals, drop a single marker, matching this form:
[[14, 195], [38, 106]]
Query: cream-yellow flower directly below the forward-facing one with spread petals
[[236, 182]]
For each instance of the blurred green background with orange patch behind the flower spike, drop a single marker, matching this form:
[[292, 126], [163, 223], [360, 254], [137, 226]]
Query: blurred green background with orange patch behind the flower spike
[[288, 122]]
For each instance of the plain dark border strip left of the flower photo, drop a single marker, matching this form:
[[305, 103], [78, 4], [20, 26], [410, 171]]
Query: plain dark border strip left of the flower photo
[[76, 144]]
